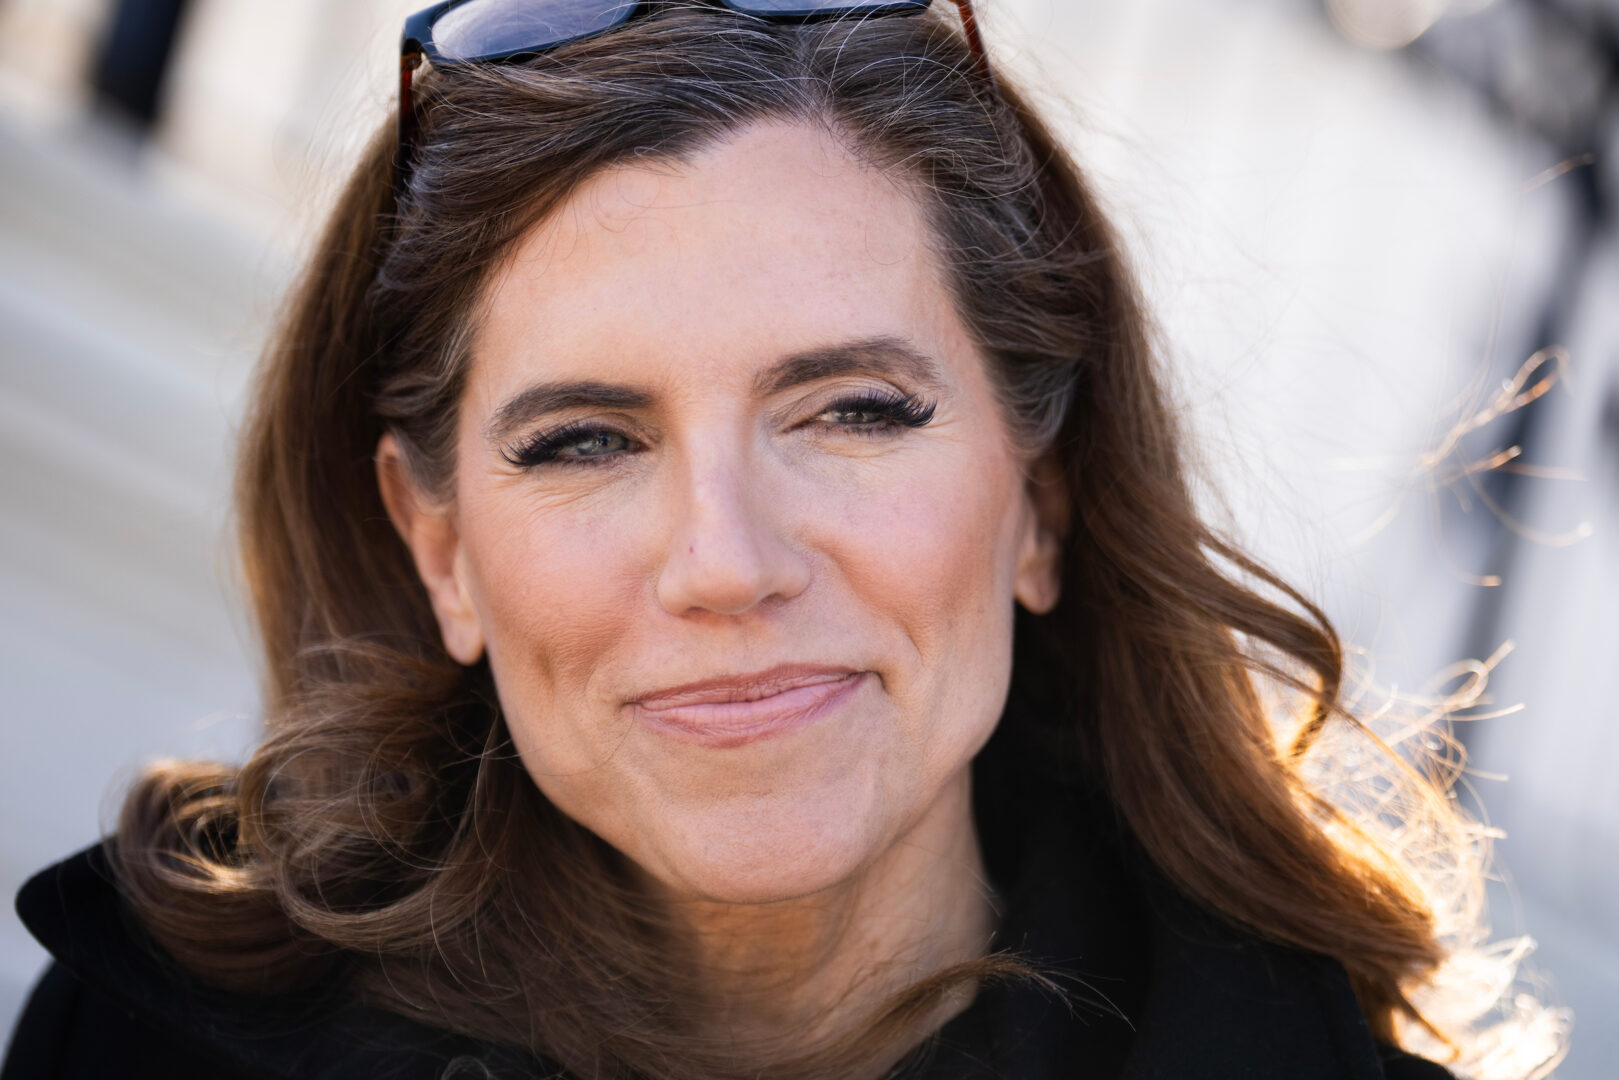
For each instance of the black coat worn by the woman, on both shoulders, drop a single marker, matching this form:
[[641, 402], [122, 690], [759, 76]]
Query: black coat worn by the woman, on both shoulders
[[1160, 989]]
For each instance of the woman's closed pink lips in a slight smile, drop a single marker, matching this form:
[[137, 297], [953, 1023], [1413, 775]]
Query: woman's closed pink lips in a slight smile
[[742, 710]]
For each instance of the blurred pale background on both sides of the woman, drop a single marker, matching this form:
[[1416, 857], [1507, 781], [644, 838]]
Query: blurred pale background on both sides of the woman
[[1379, 237]]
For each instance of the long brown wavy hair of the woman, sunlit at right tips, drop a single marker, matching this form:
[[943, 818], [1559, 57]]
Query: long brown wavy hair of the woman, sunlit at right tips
[[385, 831]]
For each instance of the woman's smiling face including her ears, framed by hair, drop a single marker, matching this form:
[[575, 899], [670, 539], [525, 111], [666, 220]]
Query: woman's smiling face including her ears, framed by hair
[[736, 517]]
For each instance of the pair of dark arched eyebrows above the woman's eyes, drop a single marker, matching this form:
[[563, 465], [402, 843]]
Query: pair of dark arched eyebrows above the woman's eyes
[[878, 357]]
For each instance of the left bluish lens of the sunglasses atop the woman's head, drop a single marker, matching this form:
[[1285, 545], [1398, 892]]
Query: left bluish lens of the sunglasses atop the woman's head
[[485, 30]]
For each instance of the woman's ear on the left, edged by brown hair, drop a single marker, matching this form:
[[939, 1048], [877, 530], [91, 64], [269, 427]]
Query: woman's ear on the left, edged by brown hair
[[435, 542]]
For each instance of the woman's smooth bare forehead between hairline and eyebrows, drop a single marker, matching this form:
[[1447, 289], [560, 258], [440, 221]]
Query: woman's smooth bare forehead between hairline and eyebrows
[[770, 242]]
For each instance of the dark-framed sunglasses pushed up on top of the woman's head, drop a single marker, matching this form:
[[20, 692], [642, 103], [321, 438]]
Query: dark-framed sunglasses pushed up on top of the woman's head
[[483, 32]]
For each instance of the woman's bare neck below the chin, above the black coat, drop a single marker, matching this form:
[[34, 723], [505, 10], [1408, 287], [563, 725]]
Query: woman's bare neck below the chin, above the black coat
[[815, 967]]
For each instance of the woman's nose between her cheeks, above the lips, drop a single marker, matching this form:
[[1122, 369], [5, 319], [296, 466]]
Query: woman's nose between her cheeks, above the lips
[[728, 550]]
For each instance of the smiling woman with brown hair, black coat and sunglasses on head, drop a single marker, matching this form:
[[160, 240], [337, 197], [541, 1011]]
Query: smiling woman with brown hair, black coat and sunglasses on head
[[734, 608]]
